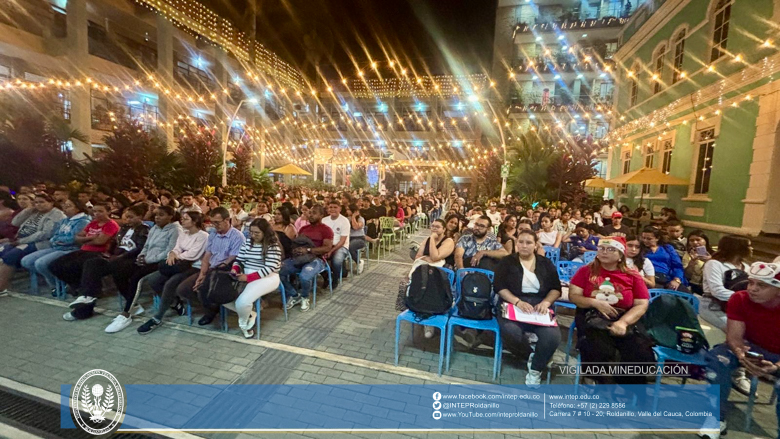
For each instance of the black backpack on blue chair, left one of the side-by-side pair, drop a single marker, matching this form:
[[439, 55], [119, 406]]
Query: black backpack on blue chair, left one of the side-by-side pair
[[429, 293]]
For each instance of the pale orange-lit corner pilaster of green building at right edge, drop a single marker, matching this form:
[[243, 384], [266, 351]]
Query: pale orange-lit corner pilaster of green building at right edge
[[762, 200]]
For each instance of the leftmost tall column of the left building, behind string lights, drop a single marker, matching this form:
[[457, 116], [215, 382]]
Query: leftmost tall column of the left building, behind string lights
[[78, 53]]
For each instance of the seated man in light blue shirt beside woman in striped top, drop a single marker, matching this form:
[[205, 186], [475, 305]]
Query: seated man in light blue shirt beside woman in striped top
[[222, 248]]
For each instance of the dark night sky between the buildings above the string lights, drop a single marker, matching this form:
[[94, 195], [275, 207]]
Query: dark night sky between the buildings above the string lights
[[434, 36]]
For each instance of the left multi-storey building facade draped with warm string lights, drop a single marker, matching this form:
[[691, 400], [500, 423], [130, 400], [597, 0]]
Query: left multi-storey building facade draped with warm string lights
[[159, 61]]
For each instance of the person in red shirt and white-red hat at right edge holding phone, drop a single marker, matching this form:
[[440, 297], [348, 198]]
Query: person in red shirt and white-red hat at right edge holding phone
[[752, 335]]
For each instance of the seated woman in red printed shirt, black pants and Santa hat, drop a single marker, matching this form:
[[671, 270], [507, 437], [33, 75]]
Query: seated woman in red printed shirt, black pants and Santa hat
[[610, 300]]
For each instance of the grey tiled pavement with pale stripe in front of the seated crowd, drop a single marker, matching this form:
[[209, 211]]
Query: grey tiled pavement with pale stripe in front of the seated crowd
[[347, 339]]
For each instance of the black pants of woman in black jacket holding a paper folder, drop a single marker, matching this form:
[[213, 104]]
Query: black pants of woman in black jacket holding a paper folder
[[513, 336]]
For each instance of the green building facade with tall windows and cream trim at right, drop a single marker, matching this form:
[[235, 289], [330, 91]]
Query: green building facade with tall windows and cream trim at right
[[698, 99]]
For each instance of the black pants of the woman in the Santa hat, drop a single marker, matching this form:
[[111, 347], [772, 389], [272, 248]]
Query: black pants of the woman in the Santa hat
[[599, 346]]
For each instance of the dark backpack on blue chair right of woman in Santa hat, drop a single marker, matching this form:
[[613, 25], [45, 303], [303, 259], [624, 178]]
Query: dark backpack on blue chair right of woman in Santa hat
[[665, 315]]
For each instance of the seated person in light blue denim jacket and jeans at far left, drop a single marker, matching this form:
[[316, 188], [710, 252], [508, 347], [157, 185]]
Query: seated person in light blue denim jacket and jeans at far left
[[62, 242]]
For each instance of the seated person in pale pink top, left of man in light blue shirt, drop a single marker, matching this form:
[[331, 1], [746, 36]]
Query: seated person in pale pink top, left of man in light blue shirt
[[189, 248]]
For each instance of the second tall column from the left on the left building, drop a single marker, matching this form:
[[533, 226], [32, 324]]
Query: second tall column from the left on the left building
[[165, 74]]
